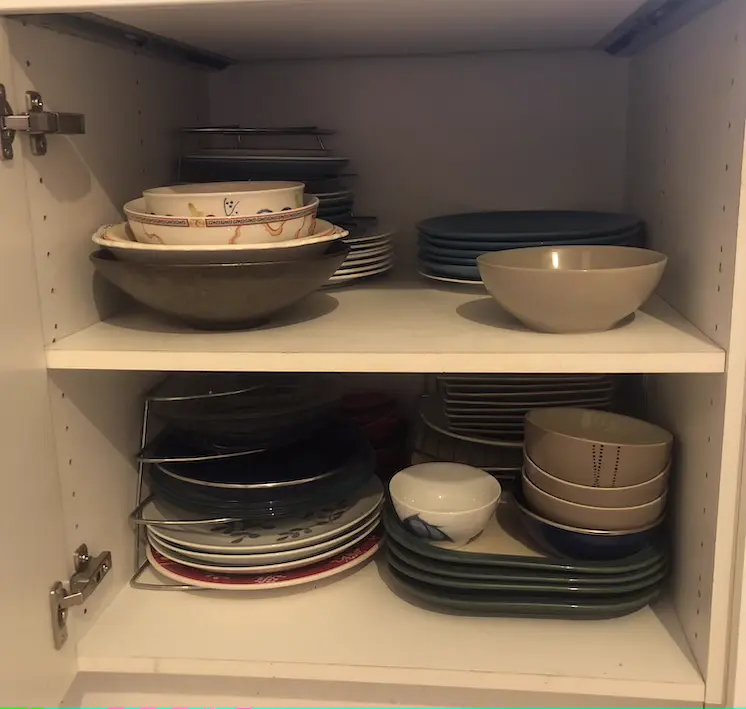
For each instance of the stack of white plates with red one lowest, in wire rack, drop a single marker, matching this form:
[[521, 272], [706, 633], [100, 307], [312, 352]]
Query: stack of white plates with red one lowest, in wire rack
[[255, 555]]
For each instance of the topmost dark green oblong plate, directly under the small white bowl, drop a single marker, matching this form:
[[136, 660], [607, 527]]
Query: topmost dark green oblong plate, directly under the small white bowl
[[506, 519]]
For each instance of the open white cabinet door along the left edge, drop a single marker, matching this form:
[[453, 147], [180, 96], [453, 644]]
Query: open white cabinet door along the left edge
[[34, 550]]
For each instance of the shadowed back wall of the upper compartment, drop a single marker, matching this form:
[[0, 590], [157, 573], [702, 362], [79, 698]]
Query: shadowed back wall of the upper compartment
[[433, 135]]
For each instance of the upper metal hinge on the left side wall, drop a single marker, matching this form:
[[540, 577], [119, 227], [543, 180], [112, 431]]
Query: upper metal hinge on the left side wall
[[36, 122]]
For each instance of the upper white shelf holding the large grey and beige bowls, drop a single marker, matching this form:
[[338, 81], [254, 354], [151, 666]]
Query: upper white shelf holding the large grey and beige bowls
[[392, 328]]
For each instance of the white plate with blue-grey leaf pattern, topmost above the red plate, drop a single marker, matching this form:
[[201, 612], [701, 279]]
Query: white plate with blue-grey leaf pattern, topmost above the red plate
[[247, 536]]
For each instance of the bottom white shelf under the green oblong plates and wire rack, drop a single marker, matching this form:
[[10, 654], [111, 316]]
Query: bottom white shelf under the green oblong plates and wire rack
[[355, 629]]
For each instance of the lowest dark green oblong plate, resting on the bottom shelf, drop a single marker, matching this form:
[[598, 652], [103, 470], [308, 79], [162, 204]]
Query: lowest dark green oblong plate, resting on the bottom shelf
[[527, 605]]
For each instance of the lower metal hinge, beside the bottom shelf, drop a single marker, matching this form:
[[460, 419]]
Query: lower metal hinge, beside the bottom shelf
[[89, 573]]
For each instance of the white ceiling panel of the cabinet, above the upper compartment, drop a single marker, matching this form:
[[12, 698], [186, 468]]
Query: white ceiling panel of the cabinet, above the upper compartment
[[271, 28]]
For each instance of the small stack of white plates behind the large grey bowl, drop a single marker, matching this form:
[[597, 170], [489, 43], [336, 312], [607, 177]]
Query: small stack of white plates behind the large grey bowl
[[371, 253]]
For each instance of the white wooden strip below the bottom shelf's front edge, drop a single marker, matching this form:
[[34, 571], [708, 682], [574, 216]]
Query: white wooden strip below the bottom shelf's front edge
[[102, 690]]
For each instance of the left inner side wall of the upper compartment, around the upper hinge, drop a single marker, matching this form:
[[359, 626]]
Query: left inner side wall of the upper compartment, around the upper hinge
[[133, 106]]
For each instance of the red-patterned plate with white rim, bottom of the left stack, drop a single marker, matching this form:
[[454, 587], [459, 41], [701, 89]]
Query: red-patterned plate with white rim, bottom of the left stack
[[346, 560]]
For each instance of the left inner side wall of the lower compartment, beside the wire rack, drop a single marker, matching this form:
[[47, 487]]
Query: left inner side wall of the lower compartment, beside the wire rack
[[97, 419]]
